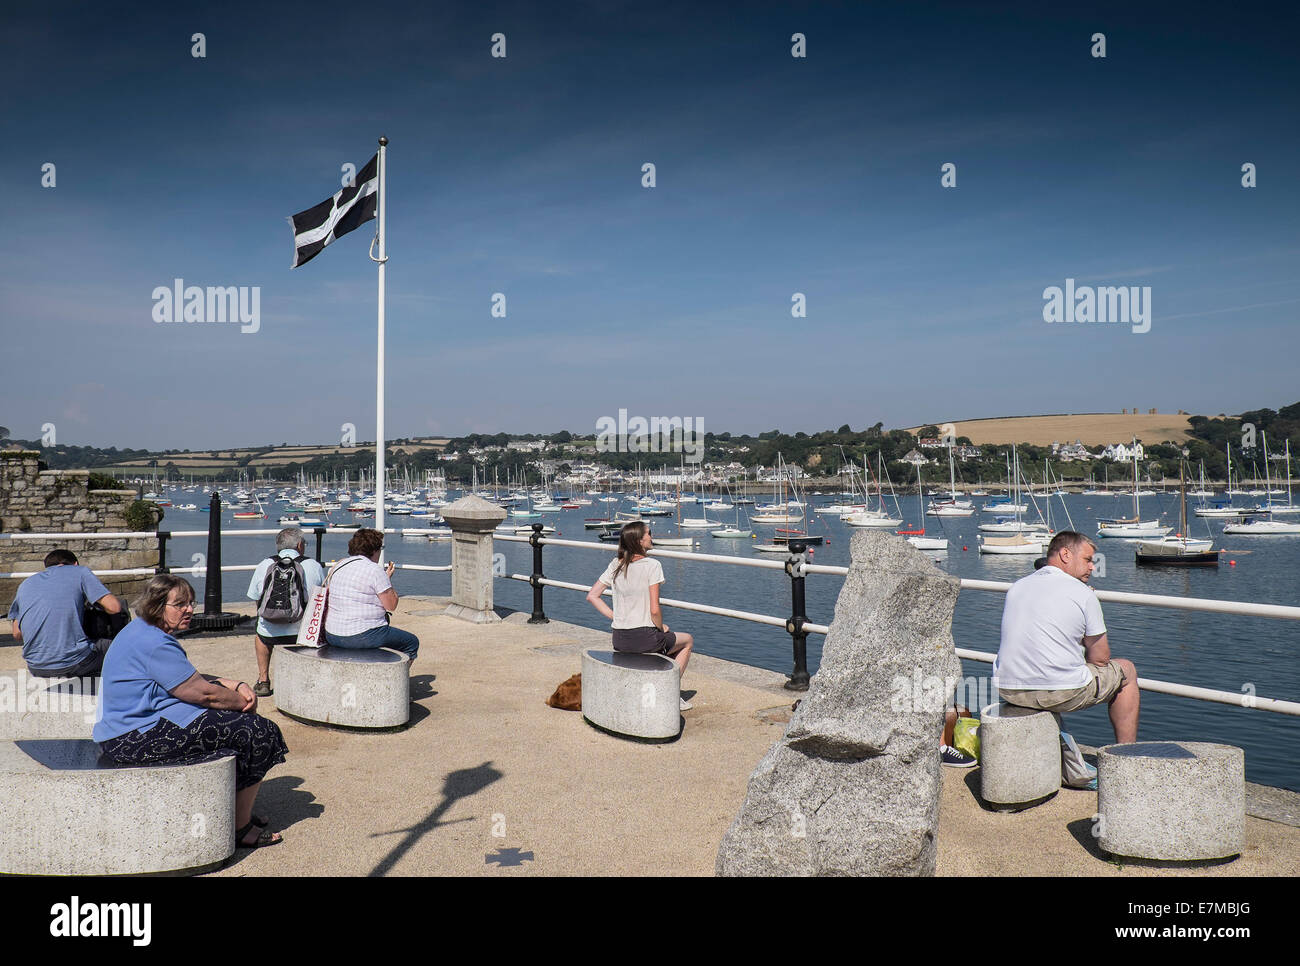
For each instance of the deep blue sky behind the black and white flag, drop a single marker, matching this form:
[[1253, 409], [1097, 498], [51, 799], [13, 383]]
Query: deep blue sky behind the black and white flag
[[523, 176]]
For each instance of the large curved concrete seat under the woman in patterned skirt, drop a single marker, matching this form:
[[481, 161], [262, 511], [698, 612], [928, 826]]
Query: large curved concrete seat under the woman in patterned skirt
[[66, 811]]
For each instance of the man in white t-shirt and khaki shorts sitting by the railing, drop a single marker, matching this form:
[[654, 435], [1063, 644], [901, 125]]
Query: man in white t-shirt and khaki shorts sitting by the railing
[[1055, 655]]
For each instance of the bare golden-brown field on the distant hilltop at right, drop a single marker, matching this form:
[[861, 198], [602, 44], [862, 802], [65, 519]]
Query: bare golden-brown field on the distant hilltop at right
[[1093, 430]]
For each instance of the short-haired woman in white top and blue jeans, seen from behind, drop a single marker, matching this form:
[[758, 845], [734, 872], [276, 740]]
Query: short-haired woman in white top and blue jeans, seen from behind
[[362, 599]]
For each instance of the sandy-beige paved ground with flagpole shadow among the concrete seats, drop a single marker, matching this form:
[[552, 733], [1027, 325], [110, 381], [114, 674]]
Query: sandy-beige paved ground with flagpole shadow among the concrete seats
[[487, 768]]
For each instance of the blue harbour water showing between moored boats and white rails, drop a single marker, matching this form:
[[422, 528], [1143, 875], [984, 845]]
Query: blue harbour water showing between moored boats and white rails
[[1225, 652]]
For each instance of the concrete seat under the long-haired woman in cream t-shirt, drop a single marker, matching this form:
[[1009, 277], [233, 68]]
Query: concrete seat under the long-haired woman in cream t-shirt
[[634, 695]]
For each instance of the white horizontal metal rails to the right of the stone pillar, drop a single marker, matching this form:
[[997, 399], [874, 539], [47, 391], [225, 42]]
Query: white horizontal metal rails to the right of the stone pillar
[[1188, 691]]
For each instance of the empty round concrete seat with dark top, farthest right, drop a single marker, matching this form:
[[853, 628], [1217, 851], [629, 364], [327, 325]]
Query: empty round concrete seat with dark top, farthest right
[[1172, 800]]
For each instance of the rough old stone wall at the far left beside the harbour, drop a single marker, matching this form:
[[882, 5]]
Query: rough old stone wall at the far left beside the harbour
[[59, 501]]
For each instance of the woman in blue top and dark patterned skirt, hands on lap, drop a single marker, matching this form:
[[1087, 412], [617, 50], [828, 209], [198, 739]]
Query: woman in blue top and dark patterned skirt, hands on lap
[[158, 709]]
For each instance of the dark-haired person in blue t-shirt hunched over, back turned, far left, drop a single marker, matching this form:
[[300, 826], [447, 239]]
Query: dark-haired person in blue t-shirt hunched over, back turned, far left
[[47, 618]]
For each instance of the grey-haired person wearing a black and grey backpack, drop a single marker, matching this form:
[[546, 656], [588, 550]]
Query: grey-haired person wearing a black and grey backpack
[[281, 586]]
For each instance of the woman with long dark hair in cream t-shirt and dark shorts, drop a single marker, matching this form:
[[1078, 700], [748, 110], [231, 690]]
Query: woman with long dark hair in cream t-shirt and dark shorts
[[636, 618]]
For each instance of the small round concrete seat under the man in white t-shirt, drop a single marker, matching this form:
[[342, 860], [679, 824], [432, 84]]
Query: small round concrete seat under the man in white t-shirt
[[1020, 756]]
